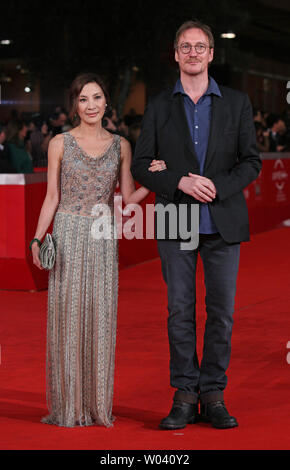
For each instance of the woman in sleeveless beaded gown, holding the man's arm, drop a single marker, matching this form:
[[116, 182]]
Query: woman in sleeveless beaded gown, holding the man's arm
[[84, 166]]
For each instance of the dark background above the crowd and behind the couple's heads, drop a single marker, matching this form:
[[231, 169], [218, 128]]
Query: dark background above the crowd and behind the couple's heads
[[131, 44]]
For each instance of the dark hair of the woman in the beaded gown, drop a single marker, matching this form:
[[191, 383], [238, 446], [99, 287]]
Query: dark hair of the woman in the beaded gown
[[76, 87]]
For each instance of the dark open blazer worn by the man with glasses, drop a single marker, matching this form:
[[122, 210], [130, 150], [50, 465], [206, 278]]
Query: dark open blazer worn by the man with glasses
[[232, 160]]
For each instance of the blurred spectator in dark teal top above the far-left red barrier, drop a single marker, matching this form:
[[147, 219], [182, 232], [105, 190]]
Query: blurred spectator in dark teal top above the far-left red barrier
[[19, 157]]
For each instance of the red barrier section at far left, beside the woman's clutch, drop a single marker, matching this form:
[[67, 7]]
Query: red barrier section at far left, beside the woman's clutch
[[21, 198]]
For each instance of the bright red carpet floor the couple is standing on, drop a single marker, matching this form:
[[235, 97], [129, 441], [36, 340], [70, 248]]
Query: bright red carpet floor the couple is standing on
[[259, 375]]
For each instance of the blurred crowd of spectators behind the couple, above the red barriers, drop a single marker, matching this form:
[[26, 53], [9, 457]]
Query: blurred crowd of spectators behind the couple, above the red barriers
[[24, 139]]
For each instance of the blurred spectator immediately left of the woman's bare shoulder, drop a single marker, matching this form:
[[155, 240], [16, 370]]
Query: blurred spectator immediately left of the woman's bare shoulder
[[38, 142]]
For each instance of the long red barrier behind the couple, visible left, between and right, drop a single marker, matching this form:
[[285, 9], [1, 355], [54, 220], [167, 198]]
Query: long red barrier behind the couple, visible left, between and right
[[21, 198]]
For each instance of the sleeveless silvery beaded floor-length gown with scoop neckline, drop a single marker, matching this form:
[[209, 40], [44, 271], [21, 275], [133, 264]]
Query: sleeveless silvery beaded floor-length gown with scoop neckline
[[82, 292]]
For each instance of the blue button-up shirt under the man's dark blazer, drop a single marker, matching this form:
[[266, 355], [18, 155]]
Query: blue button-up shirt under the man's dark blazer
[[198, 118]]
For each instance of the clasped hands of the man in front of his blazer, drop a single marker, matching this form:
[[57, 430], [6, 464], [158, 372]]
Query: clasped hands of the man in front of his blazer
[[200, 187]]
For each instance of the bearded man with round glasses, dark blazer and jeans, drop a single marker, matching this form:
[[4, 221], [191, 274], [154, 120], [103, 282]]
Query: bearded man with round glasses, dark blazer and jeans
[[205, 134]]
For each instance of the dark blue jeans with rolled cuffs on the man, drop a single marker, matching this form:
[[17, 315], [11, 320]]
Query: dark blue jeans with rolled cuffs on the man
[[220, 262]]
